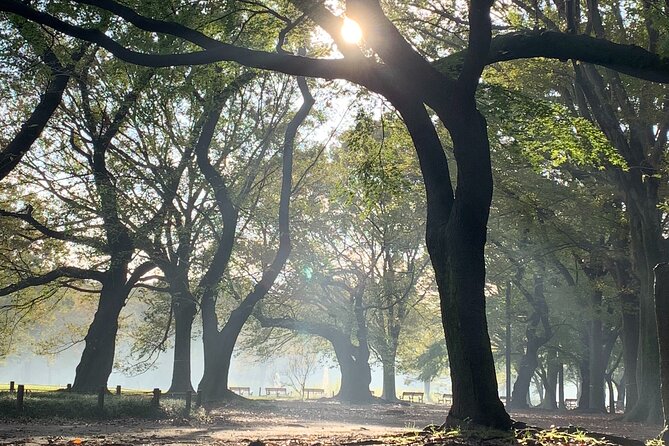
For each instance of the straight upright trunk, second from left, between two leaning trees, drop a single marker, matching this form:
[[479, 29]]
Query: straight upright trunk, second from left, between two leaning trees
[[184, 314]]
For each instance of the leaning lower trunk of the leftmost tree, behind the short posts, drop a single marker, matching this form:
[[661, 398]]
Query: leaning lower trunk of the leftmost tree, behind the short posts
[[97, 359]]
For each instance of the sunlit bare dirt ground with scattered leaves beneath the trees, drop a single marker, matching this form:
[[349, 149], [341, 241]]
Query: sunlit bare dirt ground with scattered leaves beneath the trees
[[286, 423]]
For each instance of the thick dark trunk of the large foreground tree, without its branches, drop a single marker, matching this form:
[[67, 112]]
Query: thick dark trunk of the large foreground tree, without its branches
[[457, 253]]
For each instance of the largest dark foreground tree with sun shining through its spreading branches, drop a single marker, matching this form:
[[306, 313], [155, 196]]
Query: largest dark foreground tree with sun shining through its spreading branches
[[456, 217]]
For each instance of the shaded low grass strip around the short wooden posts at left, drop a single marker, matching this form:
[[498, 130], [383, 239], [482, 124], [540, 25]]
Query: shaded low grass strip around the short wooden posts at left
[[50, 404]]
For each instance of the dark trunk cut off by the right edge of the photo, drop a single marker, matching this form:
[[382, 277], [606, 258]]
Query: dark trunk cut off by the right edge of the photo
[[661, 312]]
